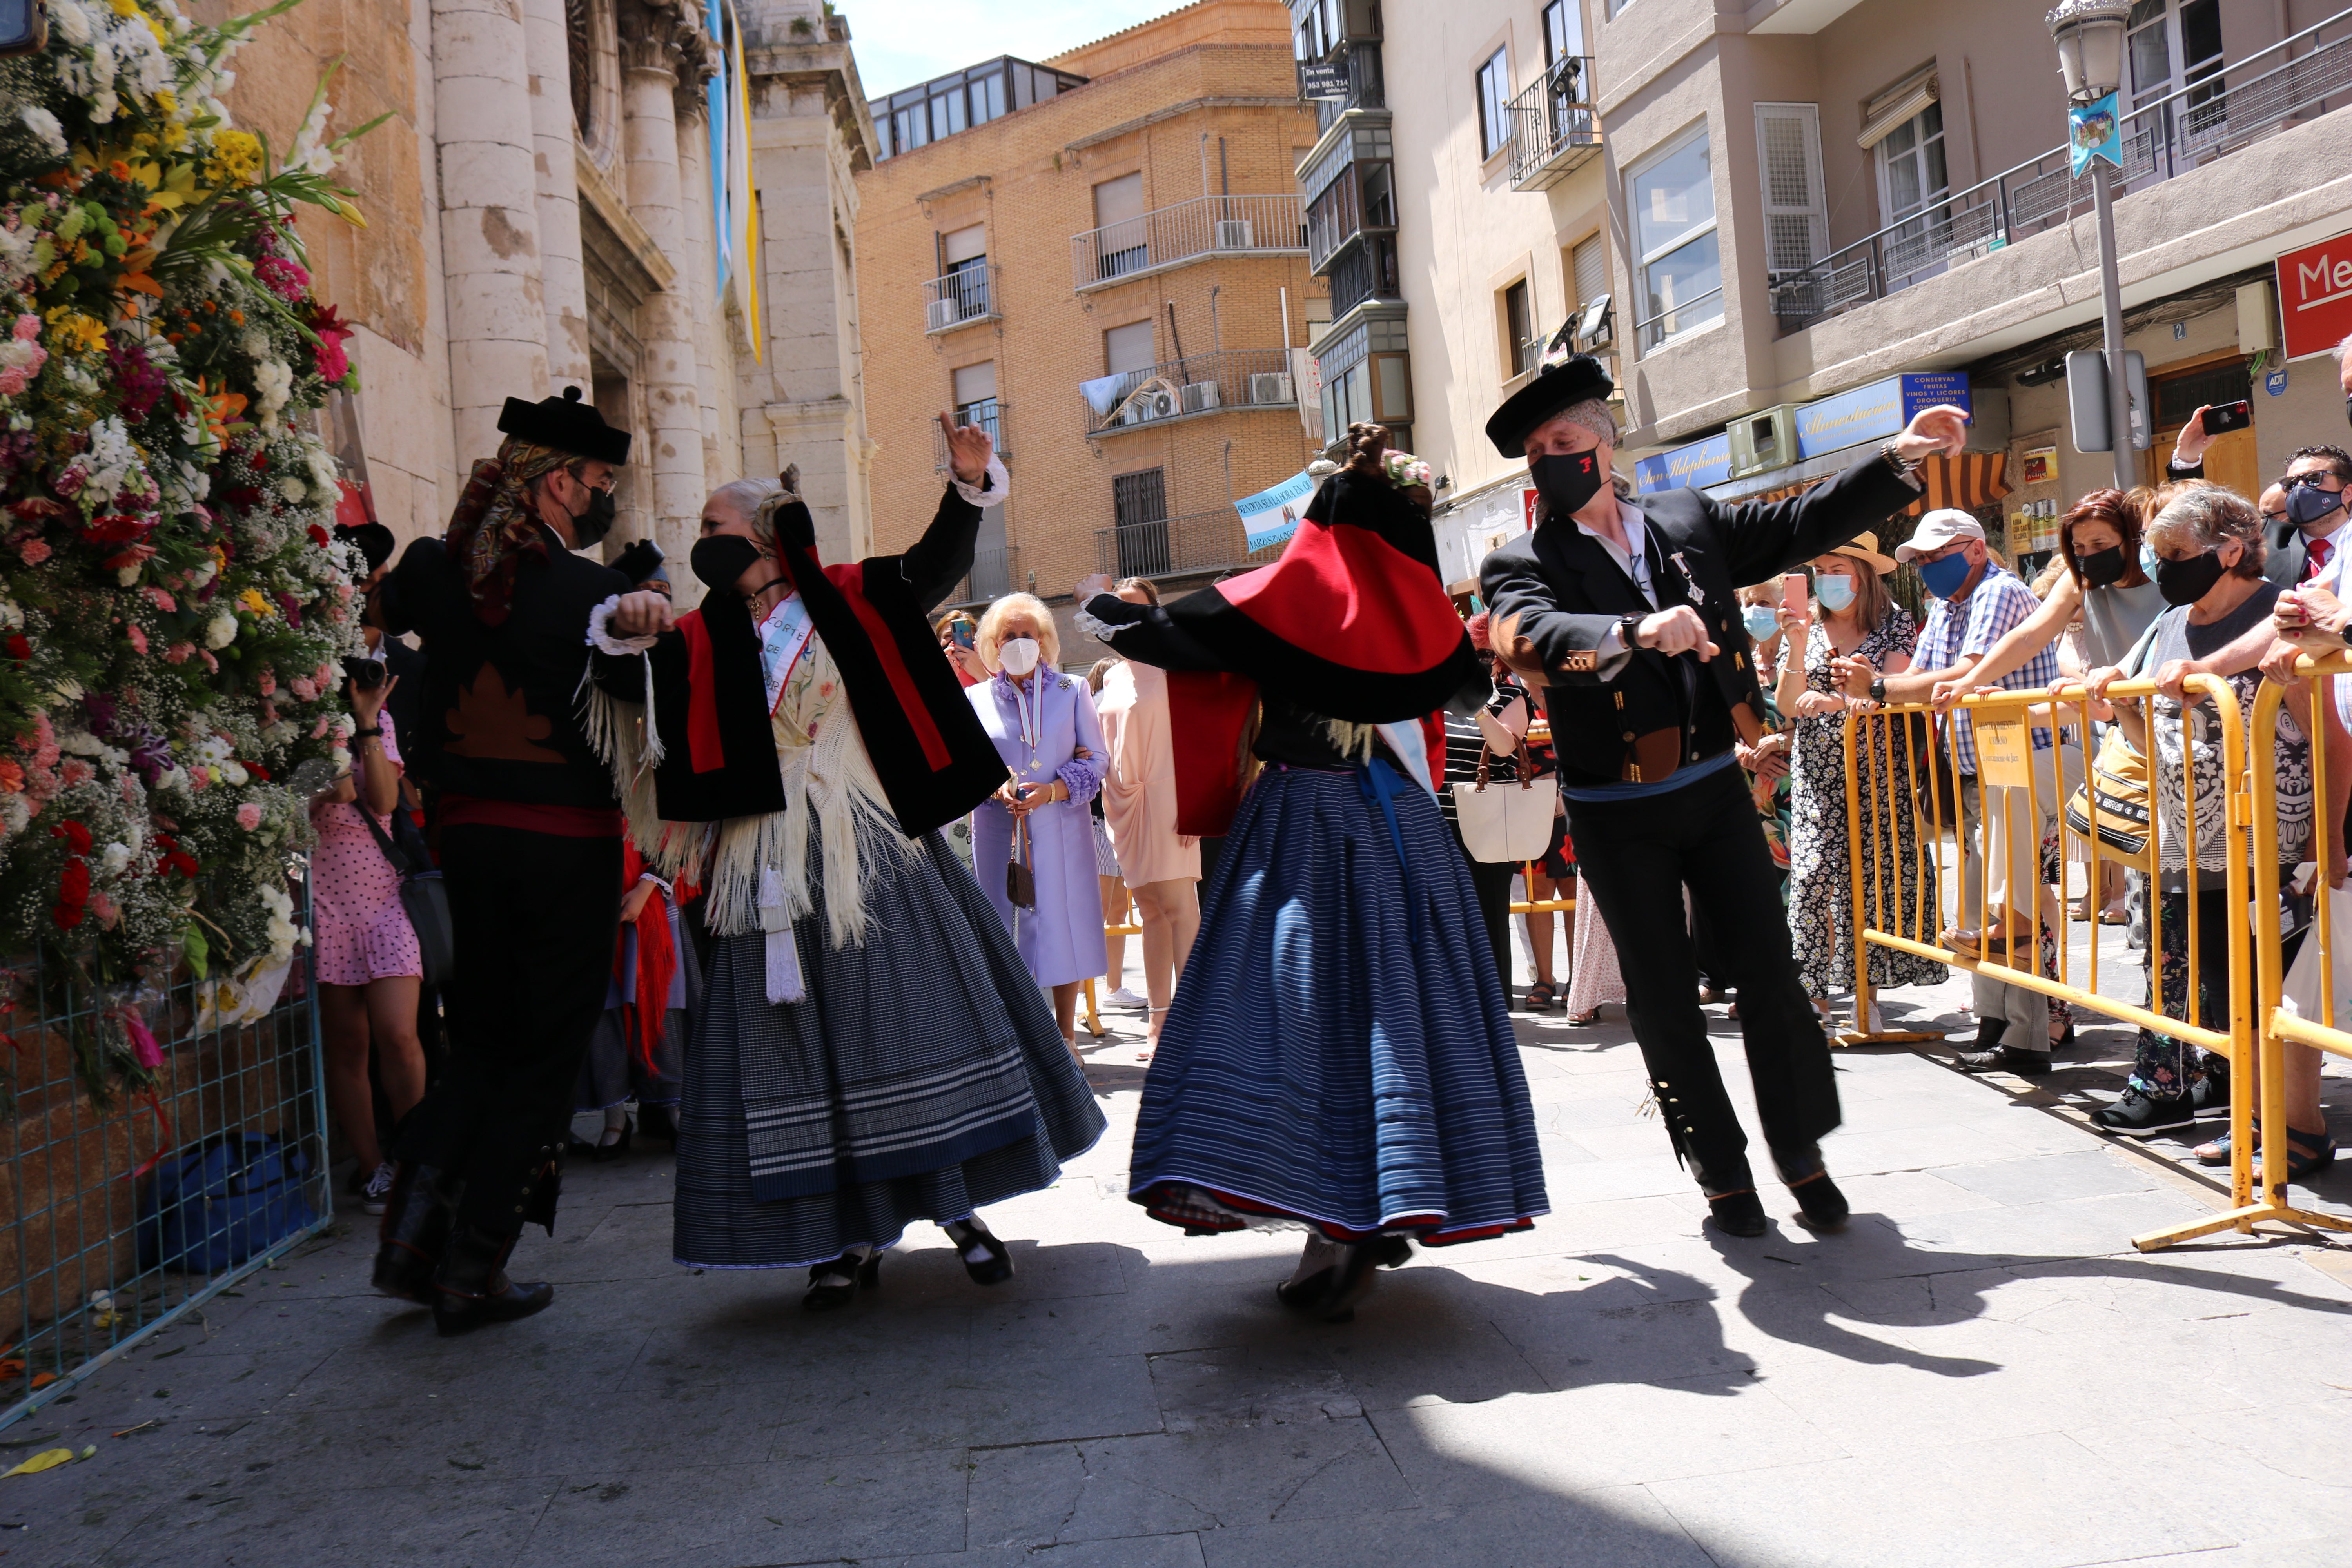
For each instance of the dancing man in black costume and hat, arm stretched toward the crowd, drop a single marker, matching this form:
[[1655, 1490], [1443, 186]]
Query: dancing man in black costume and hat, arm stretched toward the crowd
[[1626, 617]]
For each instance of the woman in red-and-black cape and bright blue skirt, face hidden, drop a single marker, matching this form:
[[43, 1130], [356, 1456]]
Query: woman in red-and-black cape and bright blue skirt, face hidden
[[1339, 1054]]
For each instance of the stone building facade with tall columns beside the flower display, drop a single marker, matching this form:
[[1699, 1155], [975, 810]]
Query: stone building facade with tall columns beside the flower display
[[542, 215]]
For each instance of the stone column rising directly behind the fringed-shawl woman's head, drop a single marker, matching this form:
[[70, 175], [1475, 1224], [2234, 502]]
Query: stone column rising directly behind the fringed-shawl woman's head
[[650, 69]]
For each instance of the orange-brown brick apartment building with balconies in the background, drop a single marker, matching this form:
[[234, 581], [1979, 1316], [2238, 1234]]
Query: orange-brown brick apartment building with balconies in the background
[[1102, 260]]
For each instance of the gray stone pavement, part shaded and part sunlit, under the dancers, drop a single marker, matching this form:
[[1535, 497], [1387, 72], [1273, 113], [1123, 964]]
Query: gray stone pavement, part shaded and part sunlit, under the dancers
[[1977, 1372]]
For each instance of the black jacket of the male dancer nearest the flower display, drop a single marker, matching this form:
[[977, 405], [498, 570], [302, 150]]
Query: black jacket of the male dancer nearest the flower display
[[497, 716]]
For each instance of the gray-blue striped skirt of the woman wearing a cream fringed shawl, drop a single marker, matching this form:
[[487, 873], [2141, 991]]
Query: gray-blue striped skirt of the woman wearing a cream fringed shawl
[[918, 1080]]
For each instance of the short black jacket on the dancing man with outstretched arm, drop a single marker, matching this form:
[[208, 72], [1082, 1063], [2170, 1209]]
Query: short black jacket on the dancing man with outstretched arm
[[1556, 596]]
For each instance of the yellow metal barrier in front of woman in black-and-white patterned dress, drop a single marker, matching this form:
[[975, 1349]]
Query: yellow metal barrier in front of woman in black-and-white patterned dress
[[2005, 751]]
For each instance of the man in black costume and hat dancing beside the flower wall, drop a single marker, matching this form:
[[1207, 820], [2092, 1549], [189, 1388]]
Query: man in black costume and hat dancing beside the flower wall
[[530, 845]]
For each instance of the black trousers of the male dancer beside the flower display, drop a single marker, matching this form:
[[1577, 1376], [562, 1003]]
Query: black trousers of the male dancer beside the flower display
[[535, 920]]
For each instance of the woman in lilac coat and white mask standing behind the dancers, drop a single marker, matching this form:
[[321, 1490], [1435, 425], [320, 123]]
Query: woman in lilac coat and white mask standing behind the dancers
[[1043, 725]]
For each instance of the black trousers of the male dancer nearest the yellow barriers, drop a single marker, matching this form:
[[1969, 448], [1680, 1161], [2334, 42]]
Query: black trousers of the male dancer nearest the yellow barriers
[[1638, 857]]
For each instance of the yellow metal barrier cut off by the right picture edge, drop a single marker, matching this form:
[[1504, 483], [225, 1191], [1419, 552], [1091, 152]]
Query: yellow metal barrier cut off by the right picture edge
[[2278, 1026]]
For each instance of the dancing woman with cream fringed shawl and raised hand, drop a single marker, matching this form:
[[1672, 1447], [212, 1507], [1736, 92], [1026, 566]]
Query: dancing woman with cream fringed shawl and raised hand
[[871, 1050]]
